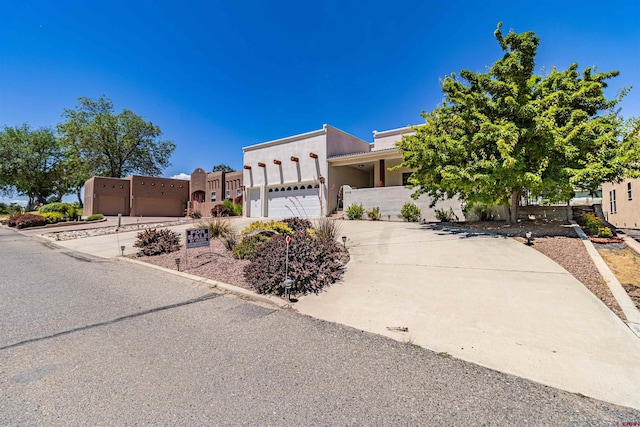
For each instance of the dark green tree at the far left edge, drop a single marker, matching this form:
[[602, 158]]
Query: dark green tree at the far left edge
[[32, 164]]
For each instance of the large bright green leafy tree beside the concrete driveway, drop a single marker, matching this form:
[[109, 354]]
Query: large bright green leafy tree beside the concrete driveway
[[507, 132]]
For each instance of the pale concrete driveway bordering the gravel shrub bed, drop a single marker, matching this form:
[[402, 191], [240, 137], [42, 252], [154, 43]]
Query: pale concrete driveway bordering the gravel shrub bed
[[488, 300]]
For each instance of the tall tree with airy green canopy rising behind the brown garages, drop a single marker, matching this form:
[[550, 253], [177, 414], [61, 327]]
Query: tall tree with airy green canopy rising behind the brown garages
[[115, 145]]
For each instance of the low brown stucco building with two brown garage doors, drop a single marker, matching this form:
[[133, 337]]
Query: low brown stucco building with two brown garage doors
[[136, 196]]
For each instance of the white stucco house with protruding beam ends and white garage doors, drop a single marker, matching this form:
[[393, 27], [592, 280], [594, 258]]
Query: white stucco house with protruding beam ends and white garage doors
[[316, 173]]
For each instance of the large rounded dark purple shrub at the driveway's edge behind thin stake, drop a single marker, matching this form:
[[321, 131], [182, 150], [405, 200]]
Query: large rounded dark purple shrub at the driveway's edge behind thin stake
[[313, 264]]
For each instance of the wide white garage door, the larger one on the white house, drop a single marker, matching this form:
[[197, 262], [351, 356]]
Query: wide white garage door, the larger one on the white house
[[301, 201]]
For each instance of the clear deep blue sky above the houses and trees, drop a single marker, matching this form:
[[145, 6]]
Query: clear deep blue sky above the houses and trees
[[216, 76]]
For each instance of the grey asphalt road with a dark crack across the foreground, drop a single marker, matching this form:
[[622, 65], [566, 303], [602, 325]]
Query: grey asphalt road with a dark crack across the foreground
[[88, 341]]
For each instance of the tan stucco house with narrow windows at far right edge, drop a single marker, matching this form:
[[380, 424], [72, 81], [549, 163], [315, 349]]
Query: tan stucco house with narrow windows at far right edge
[[621, 203]]
